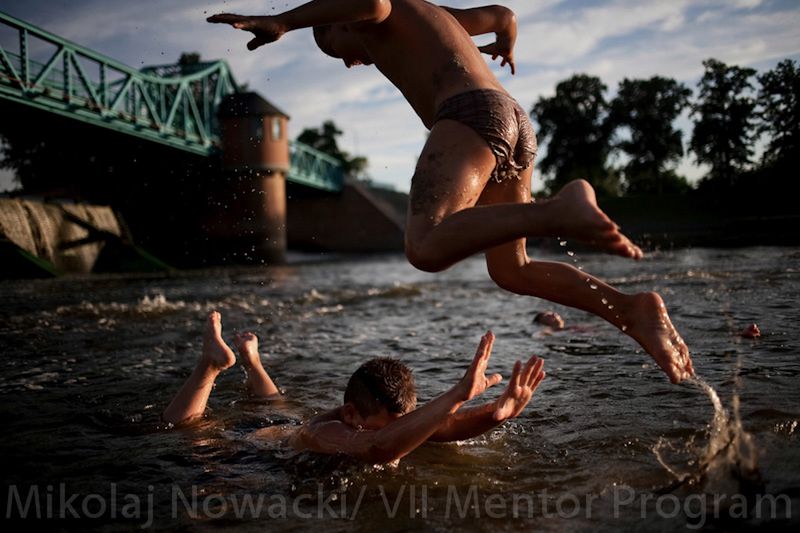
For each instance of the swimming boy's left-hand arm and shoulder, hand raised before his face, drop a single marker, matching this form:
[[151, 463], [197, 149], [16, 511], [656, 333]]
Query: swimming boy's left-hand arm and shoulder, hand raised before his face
[[403, 435]]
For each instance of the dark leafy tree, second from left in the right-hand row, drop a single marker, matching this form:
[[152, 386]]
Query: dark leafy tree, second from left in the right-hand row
[[648, 109]]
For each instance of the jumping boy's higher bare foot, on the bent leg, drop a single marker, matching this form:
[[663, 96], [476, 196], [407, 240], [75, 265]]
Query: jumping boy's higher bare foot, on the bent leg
[[582, 219]]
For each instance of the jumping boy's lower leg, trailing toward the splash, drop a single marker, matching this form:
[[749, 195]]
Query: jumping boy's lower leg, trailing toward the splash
[[643, 316]]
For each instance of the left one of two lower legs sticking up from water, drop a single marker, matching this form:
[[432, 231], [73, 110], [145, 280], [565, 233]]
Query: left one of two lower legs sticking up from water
[[190, 401]]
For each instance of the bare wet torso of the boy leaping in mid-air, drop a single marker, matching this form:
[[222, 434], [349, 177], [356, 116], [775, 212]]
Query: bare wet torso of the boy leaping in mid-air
[[426, 54]]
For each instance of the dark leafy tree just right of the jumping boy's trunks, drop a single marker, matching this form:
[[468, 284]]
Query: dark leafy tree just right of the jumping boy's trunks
[[573, 126]]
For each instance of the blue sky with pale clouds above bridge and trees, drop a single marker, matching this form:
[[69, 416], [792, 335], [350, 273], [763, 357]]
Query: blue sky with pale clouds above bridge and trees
[[611, 39]]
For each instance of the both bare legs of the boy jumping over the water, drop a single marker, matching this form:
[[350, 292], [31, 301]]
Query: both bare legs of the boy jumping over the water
[[455, 211]]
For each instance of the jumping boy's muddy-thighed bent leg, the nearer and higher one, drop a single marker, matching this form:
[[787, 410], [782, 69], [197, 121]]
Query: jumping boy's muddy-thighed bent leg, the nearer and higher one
[[444, 226]]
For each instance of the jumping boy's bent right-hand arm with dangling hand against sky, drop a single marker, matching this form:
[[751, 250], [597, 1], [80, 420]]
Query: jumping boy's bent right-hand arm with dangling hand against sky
[[491, 19]]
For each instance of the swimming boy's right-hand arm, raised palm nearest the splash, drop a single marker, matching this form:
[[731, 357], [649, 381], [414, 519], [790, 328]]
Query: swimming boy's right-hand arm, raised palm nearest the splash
[[470, 422]]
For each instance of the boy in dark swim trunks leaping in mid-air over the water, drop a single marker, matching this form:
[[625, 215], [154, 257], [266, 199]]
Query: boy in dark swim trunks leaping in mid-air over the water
[[470, 191]]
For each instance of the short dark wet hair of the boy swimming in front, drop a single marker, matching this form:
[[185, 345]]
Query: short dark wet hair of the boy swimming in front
[[381, 382]]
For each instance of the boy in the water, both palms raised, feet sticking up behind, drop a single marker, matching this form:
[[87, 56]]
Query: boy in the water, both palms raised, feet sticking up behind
[[378, 422]]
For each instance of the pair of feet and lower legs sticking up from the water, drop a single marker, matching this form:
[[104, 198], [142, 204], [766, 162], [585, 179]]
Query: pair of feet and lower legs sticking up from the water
[[190, 401]]
